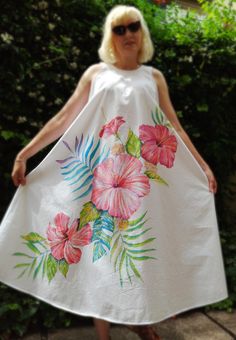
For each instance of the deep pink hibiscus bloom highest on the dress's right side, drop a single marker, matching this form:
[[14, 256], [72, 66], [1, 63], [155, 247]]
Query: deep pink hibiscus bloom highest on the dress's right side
[[159, 145]]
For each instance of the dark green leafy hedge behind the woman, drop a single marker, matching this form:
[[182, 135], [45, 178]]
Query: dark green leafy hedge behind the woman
[[46, 45]]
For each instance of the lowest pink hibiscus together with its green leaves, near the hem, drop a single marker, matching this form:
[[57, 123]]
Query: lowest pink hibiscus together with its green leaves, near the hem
[[56, 252]]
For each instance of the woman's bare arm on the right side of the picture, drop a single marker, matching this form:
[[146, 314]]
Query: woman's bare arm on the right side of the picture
[[167, 107]]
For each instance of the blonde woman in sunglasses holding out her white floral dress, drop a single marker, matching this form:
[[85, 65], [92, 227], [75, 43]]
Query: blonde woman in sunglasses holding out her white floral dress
[[142, 151]]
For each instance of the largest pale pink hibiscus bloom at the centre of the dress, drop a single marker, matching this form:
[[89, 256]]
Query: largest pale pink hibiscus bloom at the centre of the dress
[[118, 186]]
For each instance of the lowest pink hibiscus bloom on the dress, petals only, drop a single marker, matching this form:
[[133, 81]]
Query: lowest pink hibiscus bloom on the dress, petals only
[[64, 241]]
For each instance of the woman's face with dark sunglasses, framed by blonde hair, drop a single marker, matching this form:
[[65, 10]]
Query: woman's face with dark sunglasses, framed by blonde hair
[[130, 42]]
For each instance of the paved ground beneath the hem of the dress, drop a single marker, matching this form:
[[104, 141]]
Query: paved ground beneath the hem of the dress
[[194, 325]]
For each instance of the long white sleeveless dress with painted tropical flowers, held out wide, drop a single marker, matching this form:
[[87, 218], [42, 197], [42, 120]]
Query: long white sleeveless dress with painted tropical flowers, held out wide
[[117, 222]]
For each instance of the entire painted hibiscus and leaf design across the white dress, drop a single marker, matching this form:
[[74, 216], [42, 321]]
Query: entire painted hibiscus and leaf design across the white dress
[[112, 182]]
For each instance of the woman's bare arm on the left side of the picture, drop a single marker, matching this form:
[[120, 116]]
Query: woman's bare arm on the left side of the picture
[[56, 126]]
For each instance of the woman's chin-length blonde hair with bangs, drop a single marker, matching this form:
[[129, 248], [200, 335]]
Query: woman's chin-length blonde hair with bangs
[[115, 17]]
